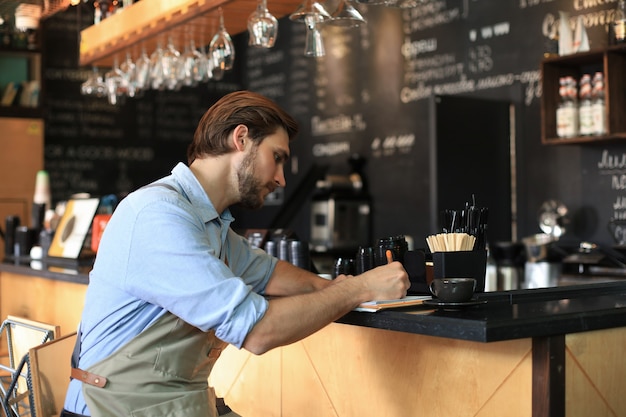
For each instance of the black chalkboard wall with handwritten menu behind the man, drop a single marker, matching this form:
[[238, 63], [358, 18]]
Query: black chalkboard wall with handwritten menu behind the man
[[369, 96]]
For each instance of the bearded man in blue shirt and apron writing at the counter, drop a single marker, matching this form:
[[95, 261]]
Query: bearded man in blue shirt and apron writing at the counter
[[173, 284]]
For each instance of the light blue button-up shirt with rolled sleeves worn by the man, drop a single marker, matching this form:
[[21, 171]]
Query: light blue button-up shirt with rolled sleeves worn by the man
[[166, 248]]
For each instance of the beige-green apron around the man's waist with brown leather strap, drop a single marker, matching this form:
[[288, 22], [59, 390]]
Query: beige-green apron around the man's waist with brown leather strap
[[161, 372]]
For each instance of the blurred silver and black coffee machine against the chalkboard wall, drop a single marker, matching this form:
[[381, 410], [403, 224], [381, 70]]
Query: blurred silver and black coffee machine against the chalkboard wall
[[340, 211]]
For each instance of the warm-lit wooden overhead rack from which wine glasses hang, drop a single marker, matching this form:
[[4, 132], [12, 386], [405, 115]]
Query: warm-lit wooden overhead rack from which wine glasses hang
[[146, 23]]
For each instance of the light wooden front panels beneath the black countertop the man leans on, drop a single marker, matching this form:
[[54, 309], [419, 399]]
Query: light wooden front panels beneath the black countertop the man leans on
[[353, 371]]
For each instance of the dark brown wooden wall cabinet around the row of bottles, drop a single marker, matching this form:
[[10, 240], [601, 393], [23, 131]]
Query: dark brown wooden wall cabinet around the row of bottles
[[612, 63]]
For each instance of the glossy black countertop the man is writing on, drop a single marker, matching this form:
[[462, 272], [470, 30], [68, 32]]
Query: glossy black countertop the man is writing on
[[511, 314]]
